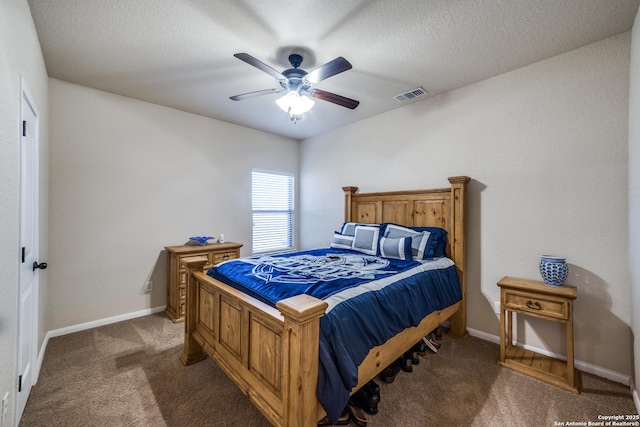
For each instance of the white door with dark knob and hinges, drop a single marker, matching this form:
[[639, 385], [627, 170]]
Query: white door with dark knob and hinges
[[28, 304]]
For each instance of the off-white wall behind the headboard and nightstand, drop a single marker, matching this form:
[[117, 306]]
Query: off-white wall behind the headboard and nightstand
[[546, 147]]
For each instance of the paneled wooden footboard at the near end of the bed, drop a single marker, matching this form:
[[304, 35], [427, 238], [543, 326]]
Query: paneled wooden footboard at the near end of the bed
[[272, 355]]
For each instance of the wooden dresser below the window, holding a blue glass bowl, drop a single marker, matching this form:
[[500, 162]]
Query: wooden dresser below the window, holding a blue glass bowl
[[176, 275]]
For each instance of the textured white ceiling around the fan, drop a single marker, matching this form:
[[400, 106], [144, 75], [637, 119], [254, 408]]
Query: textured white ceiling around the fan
[[179, 53]]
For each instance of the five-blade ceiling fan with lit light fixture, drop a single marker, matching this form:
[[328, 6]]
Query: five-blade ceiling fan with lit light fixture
[[299, 84]]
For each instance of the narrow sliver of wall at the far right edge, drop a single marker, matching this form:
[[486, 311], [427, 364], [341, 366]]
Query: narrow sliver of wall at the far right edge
[[634, 198]]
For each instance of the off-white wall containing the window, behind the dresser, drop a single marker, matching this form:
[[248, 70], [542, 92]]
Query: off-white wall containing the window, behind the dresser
[[127, 179]]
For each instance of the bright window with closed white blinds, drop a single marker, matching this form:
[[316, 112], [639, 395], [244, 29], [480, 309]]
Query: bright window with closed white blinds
[[273, 211]]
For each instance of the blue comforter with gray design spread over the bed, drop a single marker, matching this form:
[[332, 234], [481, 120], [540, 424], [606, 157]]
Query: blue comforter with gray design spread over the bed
[[370, 300]]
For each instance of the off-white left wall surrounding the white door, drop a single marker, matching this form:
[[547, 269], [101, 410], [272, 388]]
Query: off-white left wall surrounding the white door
[[20, 56]]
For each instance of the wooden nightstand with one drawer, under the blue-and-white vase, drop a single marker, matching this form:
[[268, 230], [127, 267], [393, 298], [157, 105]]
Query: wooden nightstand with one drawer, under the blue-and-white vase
[[534, 298]]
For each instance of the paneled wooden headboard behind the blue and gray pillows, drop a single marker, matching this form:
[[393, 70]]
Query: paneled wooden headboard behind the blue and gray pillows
[[440, 207]]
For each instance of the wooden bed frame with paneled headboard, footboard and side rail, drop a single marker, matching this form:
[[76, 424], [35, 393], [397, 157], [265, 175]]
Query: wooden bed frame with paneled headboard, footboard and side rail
[[272, 354]]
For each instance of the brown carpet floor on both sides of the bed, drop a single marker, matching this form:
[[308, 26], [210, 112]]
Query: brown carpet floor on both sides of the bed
[[130, 374]]
